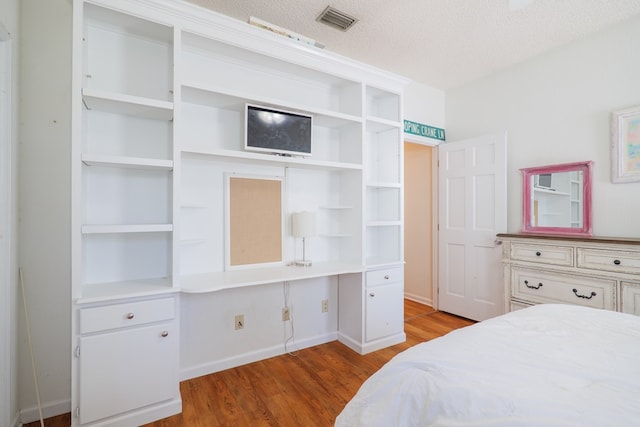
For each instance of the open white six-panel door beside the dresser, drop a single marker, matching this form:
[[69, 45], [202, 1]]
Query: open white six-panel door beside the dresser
[[472, 208]]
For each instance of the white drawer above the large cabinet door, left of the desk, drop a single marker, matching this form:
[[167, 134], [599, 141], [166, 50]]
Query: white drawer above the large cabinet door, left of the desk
[[114, 316]]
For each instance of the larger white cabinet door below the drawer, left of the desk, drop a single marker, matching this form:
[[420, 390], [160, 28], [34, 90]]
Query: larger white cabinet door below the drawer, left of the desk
[[128, 369]]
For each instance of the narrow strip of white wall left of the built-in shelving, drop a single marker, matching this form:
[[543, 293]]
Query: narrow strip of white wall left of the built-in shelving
[[45, 31]]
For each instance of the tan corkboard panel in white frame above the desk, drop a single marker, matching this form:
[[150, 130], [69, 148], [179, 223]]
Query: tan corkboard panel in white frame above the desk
[[255, 221]]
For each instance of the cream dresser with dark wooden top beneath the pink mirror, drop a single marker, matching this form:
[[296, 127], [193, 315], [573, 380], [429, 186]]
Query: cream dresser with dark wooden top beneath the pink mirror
[[601, 272]]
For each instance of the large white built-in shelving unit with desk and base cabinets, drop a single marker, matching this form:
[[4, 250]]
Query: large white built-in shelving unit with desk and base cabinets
[[159, 95]]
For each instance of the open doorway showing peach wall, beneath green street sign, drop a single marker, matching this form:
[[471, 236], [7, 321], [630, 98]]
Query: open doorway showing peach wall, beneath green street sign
[[418, 213]]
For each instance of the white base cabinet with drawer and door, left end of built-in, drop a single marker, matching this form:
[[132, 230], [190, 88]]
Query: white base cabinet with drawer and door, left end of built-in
[[127, 359]]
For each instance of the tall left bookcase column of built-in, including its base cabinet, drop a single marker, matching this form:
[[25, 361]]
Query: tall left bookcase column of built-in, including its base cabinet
[[124, 369]]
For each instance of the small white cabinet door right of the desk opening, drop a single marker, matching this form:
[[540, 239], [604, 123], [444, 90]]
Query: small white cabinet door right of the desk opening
[[384, 311]]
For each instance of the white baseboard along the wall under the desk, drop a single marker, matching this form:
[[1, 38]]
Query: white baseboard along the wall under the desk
[[187, 373]]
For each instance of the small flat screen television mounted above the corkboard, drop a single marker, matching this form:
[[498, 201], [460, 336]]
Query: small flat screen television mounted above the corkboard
[[277, 131]]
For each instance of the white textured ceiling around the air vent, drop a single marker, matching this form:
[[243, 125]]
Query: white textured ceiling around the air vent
[[441, 43]]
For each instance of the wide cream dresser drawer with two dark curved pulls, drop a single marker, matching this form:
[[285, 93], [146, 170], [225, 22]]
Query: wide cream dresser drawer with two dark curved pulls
[[541, 286]]
